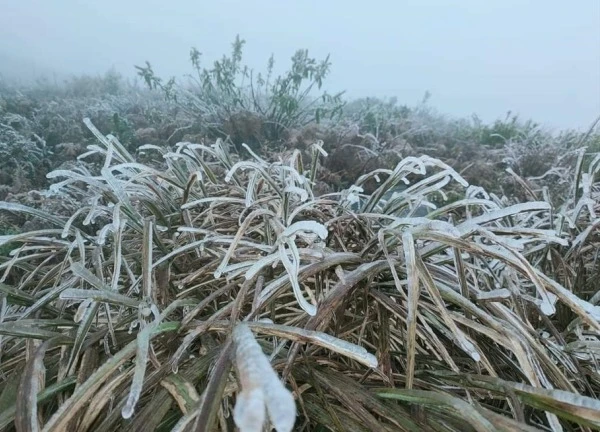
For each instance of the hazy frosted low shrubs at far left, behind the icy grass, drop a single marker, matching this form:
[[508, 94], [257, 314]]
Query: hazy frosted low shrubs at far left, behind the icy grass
[[41, 127]]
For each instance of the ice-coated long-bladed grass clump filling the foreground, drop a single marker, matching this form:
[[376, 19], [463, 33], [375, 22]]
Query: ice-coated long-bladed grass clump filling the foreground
[[138, 301]]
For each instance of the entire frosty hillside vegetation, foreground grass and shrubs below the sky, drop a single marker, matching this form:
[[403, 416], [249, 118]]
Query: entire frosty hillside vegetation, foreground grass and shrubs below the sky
[[244, 250]]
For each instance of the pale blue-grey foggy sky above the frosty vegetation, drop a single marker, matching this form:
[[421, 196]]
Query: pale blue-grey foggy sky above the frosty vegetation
[[540, 58]]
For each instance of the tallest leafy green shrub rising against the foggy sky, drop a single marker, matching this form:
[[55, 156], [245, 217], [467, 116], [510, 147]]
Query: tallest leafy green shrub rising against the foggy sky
[[229, 92]]
